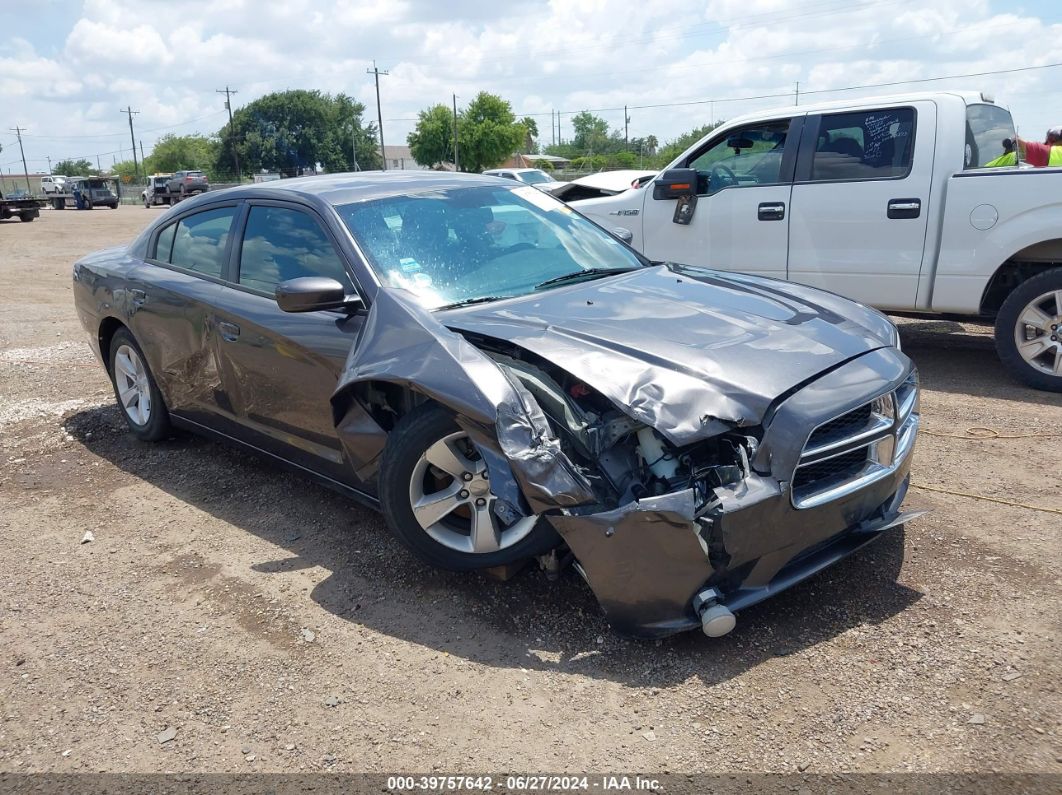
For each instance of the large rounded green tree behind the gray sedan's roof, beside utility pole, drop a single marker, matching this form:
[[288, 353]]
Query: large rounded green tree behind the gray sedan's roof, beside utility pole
[[298, 130]]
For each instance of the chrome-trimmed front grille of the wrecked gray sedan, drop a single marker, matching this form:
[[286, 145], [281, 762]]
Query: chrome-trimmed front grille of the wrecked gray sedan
[[859, 447]]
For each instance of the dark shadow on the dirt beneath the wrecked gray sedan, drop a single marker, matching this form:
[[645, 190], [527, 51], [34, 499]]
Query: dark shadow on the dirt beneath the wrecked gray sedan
[[527, 623]]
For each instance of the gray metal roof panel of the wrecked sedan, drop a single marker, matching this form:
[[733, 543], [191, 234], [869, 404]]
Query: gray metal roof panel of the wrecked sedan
[[339, 189]]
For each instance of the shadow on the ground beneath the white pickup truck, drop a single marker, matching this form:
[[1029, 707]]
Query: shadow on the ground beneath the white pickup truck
[[953, 359]]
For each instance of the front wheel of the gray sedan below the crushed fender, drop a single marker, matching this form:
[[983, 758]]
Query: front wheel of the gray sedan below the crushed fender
[[450, 542]]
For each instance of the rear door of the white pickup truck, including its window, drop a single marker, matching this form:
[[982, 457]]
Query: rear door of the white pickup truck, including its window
[[861, 203]]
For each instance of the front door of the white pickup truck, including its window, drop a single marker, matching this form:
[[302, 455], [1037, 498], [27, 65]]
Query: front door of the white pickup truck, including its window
[[742, 221]]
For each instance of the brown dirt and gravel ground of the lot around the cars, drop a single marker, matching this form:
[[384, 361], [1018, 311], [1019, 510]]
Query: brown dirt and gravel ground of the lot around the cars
[[277, 627]]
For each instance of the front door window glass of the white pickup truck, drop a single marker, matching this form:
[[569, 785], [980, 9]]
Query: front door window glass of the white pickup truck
[[744, 159]]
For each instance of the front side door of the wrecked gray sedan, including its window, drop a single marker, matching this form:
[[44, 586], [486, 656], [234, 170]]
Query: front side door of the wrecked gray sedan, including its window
[[281, 369]]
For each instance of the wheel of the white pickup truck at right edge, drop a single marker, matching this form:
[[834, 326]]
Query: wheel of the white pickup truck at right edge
[[1029, 332]]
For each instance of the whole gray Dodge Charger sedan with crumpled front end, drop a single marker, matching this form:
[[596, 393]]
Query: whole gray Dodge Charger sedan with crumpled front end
[[506, 381]]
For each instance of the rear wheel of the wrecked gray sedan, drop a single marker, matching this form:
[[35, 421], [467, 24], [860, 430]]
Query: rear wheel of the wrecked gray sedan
[[144, 408]]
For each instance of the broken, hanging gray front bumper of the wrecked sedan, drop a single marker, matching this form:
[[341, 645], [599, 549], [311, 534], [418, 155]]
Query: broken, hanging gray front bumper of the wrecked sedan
[[647, 561]]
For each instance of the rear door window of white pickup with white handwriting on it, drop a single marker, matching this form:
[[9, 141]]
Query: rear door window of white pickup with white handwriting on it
[[867, 145]]
